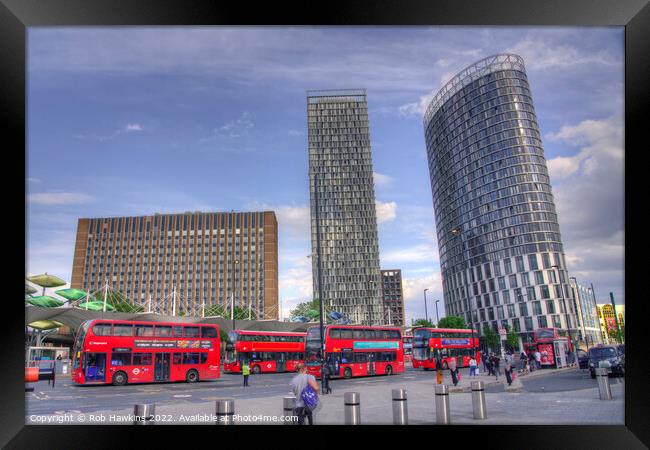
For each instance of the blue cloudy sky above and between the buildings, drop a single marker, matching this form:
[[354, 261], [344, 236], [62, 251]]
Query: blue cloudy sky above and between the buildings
[[130, 121]]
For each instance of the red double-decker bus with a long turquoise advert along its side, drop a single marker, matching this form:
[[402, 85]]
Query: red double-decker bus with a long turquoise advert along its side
[[354, 351]]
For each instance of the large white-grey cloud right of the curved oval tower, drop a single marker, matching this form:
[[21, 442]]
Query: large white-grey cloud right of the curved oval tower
[[589, 196]]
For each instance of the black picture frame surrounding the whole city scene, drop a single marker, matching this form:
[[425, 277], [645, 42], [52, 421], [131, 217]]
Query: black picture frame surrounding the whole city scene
[[634, 15]]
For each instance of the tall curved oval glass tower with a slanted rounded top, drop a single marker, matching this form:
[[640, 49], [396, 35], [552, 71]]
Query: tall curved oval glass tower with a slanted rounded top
[[501, 253]]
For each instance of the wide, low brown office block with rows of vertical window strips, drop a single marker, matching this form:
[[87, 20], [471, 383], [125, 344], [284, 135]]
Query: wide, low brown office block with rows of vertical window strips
[[197, 259]]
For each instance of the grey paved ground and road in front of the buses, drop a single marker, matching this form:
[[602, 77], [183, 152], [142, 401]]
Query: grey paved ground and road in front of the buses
[[567, 397]]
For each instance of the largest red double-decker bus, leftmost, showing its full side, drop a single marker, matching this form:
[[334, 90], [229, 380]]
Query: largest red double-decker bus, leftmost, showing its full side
[[121, 352]]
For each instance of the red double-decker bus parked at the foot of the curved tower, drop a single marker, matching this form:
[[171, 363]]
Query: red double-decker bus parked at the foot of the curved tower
[[429, 343]]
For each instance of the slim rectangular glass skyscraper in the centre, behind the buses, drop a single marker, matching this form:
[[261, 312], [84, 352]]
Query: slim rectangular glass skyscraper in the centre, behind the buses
[[342, 199]]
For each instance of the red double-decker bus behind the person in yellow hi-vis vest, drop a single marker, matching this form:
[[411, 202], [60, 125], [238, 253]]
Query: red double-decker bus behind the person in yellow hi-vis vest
[[265, 351]]
